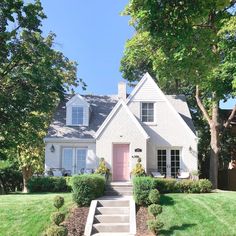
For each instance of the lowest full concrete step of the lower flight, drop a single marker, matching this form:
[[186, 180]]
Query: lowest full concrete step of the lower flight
[[111, 227]]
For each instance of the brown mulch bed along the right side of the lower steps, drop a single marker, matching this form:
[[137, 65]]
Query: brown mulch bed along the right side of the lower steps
[[141, 221]]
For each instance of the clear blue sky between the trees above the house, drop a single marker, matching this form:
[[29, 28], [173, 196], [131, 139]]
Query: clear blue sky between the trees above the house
[[93, 34]]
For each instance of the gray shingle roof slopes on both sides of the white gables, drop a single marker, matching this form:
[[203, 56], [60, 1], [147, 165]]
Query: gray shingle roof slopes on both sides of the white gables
[[101, 106]]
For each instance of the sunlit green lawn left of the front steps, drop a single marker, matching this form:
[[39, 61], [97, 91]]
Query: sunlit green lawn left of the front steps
[[28, 214]]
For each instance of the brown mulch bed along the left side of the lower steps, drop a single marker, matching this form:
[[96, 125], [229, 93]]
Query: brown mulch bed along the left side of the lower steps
[[76, 221]]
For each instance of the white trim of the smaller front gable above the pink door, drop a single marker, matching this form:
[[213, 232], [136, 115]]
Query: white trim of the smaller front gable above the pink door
[[113, 113]]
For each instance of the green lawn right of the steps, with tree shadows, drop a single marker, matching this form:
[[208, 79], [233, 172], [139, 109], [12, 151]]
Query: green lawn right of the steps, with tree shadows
[[199, 214]]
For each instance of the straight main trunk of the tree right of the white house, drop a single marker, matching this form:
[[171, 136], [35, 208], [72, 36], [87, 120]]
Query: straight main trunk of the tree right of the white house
[[215, 149]]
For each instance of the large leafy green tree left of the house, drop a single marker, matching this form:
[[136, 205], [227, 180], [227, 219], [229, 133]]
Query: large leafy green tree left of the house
[[33, 78]]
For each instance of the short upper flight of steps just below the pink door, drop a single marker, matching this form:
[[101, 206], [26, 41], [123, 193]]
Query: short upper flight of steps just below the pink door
[[119, 189]]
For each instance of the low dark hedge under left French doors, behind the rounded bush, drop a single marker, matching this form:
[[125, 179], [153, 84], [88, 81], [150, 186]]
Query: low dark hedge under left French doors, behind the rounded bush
[[48, 184]]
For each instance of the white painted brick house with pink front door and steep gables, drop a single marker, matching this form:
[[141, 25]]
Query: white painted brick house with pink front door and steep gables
[[157, 128]]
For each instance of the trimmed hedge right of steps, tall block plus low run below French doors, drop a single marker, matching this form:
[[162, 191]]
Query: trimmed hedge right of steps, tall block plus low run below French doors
[[143, 185]]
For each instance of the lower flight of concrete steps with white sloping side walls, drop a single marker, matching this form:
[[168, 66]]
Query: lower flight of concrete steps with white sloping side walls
[[113, 217]]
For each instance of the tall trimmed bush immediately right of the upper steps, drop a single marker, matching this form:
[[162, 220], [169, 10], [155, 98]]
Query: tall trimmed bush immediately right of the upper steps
[[141, 188]]
